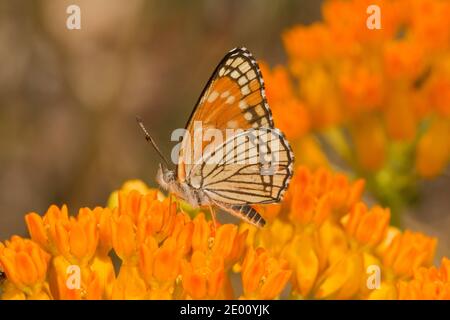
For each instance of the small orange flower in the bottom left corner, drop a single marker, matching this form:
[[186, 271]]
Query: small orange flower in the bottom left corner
[[25, 265]]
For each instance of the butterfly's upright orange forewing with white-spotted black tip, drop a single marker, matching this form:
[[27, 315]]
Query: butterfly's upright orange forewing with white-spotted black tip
[[233, 98]]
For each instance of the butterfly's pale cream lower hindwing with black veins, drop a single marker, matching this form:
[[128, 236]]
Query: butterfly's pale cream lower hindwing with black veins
[[249, 168]]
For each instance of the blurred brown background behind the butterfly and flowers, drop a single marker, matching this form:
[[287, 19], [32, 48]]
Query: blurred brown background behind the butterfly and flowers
[[68, 98]]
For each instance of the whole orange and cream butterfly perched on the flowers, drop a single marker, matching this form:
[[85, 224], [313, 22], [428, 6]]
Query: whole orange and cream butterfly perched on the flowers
[[252, 165]]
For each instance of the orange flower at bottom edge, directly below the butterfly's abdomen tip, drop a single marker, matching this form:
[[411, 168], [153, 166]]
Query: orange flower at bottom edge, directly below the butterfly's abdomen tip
[[263, 277]]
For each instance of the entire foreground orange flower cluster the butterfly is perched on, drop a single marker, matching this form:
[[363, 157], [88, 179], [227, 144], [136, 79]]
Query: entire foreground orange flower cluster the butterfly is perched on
[[320, 242]]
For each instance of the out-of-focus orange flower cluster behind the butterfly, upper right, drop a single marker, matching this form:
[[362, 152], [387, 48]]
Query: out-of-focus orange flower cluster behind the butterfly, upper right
[[379, 98]]
